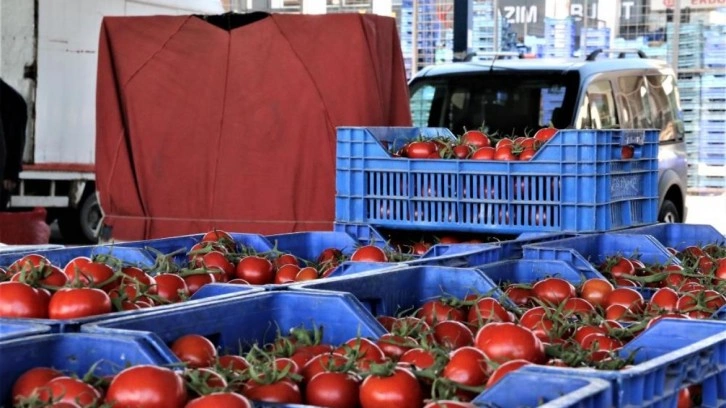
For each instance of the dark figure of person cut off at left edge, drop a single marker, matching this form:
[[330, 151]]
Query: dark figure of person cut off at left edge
[[13, 120]]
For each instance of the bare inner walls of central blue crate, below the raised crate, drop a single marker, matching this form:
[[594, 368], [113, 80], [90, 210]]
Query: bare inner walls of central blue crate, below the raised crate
[[391, 292]]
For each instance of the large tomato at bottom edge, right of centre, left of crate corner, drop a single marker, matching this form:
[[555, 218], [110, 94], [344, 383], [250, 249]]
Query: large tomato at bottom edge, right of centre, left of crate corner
[[400, 390]]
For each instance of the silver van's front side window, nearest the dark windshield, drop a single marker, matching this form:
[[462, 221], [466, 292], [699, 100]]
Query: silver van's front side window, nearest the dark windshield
[[598, 108]]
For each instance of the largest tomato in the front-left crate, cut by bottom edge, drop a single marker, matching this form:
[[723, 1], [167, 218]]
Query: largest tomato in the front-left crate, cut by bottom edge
[[147, 386]]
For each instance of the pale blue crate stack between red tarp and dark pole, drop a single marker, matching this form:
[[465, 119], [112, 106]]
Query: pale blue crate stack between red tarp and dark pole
[[428, 33]]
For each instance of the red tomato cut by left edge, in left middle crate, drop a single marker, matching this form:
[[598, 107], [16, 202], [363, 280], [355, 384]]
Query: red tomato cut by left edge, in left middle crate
[[18, 300]]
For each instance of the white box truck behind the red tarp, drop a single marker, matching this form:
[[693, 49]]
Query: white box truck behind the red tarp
[[48, 53]]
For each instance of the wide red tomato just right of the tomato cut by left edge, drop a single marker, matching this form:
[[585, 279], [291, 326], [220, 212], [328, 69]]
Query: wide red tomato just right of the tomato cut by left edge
[[73, 303]]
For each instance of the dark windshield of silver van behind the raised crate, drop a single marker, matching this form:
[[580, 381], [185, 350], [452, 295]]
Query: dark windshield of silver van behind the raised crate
[[509, 103]]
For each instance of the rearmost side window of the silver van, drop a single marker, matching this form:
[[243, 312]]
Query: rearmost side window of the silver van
[[663, 97]]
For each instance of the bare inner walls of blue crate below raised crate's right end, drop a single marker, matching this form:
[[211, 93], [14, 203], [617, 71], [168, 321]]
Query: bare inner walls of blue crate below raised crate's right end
[[585, 250]]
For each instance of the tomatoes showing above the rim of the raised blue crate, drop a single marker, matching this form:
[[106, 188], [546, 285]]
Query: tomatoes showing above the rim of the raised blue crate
[[476, 145]]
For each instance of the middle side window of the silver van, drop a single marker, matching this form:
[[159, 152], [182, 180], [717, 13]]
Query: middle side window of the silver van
[[635, 103]]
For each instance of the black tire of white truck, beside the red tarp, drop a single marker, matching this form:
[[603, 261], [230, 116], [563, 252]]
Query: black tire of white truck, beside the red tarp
[[80, 225]]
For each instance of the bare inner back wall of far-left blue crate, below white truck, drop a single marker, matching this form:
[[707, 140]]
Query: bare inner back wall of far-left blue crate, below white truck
[[60, 257]]
